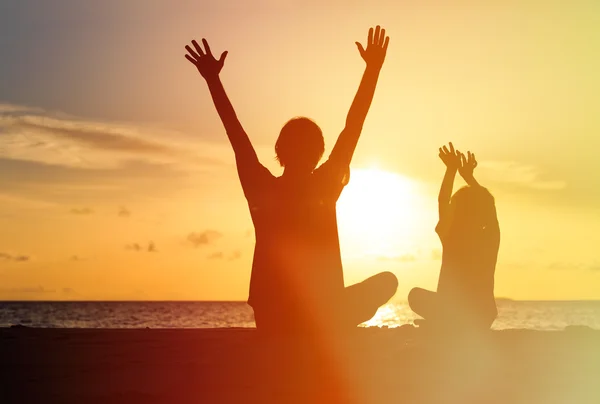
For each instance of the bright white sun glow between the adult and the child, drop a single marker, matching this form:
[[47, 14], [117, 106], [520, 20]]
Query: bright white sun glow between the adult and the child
[[378, 212]]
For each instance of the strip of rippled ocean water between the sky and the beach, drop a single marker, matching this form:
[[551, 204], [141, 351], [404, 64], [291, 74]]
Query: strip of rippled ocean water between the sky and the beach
[[537, 315]]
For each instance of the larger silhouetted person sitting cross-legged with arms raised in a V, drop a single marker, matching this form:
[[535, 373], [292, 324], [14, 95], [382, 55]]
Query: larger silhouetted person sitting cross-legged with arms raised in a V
[[297, 281]]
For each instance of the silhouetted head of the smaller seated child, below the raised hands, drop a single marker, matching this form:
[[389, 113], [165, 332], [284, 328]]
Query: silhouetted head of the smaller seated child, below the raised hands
[[473, 209]]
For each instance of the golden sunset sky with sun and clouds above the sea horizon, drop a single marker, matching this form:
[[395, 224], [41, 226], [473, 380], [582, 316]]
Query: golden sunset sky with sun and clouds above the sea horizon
[[117, 180]]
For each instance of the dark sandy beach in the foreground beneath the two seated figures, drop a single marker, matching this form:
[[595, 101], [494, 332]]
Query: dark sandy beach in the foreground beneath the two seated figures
[[240, 366]]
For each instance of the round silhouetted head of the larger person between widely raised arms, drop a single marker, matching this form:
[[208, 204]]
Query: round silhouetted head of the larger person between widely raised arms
[[300, 145]]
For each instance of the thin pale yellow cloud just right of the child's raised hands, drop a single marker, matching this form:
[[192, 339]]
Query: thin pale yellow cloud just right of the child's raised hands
[[523, 175]]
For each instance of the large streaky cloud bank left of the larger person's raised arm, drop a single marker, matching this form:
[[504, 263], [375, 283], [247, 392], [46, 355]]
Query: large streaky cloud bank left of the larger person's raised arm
[[34, 134]]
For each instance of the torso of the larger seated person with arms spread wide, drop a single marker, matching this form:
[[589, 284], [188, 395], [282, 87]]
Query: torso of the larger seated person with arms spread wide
[[297, 252]]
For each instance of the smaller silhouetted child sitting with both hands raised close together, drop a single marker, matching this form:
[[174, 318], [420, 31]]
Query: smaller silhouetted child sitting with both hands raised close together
[[470, 235]]
